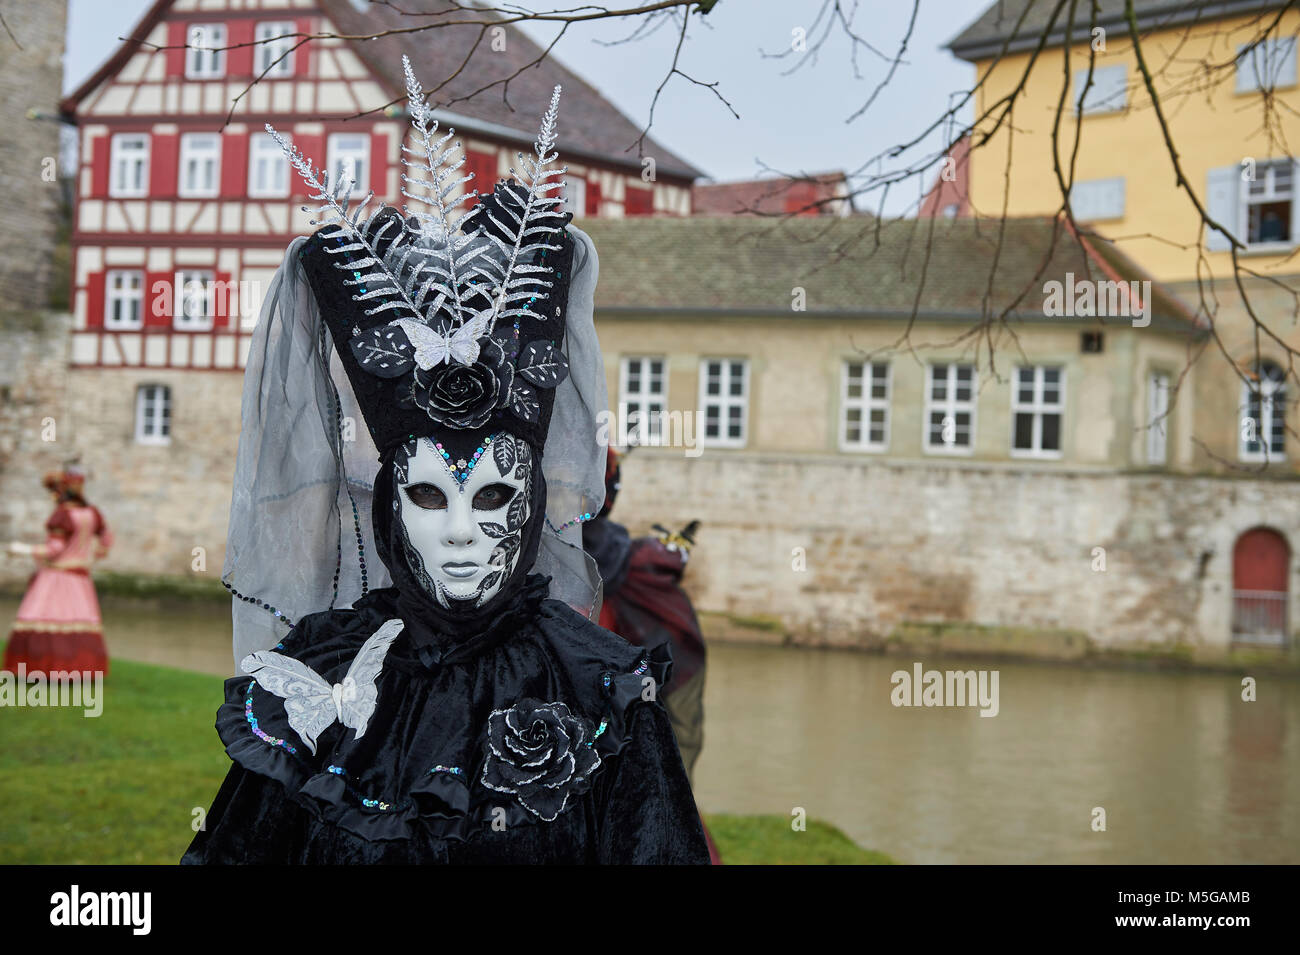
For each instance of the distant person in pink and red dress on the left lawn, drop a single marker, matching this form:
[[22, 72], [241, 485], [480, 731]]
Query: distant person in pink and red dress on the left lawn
[[59, 626]]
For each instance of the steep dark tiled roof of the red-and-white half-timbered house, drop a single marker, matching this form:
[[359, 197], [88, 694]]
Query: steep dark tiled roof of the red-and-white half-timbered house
[[590, 125]]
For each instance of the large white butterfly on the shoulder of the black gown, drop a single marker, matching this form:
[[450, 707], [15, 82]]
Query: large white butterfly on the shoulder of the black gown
[[311, 704]]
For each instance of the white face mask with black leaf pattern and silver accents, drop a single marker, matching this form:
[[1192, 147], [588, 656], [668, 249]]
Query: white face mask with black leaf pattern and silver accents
[[463, 523]]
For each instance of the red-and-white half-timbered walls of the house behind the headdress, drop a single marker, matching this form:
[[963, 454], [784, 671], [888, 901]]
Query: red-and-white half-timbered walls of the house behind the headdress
[[185, 206]]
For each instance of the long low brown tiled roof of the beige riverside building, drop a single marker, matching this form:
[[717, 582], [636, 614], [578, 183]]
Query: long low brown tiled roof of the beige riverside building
[[744, 264]]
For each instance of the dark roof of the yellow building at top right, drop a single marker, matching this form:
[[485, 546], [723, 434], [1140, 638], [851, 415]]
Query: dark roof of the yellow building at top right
[[991, 31]]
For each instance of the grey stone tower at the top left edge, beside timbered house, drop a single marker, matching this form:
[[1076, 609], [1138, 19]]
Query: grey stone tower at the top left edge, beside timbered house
[[32, 77]]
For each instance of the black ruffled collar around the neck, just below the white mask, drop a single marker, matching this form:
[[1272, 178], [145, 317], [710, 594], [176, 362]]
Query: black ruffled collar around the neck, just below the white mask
[[440, 636]]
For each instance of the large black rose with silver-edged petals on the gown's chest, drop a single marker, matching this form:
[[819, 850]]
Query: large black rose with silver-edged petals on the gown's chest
[[539, 753]]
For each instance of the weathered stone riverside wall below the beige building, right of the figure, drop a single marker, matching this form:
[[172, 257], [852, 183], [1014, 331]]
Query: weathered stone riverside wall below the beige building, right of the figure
[[886, 544]]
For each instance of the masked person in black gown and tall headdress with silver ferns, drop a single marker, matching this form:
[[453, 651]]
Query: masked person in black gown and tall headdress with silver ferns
[[466, 710]]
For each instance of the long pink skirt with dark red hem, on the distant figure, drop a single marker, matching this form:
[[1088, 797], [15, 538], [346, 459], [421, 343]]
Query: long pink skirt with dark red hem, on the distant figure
[[59, 626]]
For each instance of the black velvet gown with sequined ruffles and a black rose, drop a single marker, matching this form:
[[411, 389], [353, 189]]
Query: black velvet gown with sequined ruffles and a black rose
[[530, 740]]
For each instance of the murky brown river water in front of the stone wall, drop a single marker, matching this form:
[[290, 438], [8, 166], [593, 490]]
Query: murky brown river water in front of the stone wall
[[1184, 769]]
